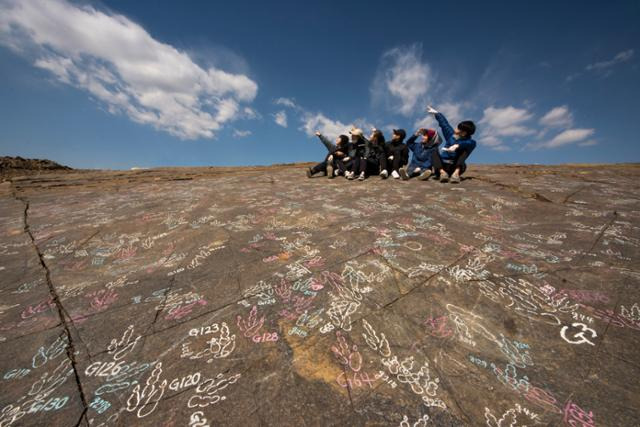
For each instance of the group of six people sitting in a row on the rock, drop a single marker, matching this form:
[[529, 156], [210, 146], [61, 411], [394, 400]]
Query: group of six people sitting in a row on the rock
[[359, 157]]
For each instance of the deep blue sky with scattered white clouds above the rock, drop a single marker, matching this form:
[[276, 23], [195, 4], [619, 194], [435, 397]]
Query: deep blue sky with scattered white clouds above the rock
[[118, 84]]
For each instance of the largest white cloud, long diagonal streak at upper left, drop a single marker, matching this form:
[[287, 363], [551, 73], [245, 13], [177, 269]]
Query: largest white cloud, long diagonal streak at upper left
[[121, 65]]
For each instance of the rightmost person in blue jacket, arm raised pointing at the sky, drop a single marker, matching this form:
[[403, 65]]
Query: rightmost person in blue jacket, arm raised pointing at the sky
[[449, 162]]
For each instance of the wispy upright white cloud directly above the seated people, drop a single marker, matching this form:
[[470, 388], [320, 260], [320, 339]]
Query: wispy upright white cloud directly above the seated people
[[403, 79]]
